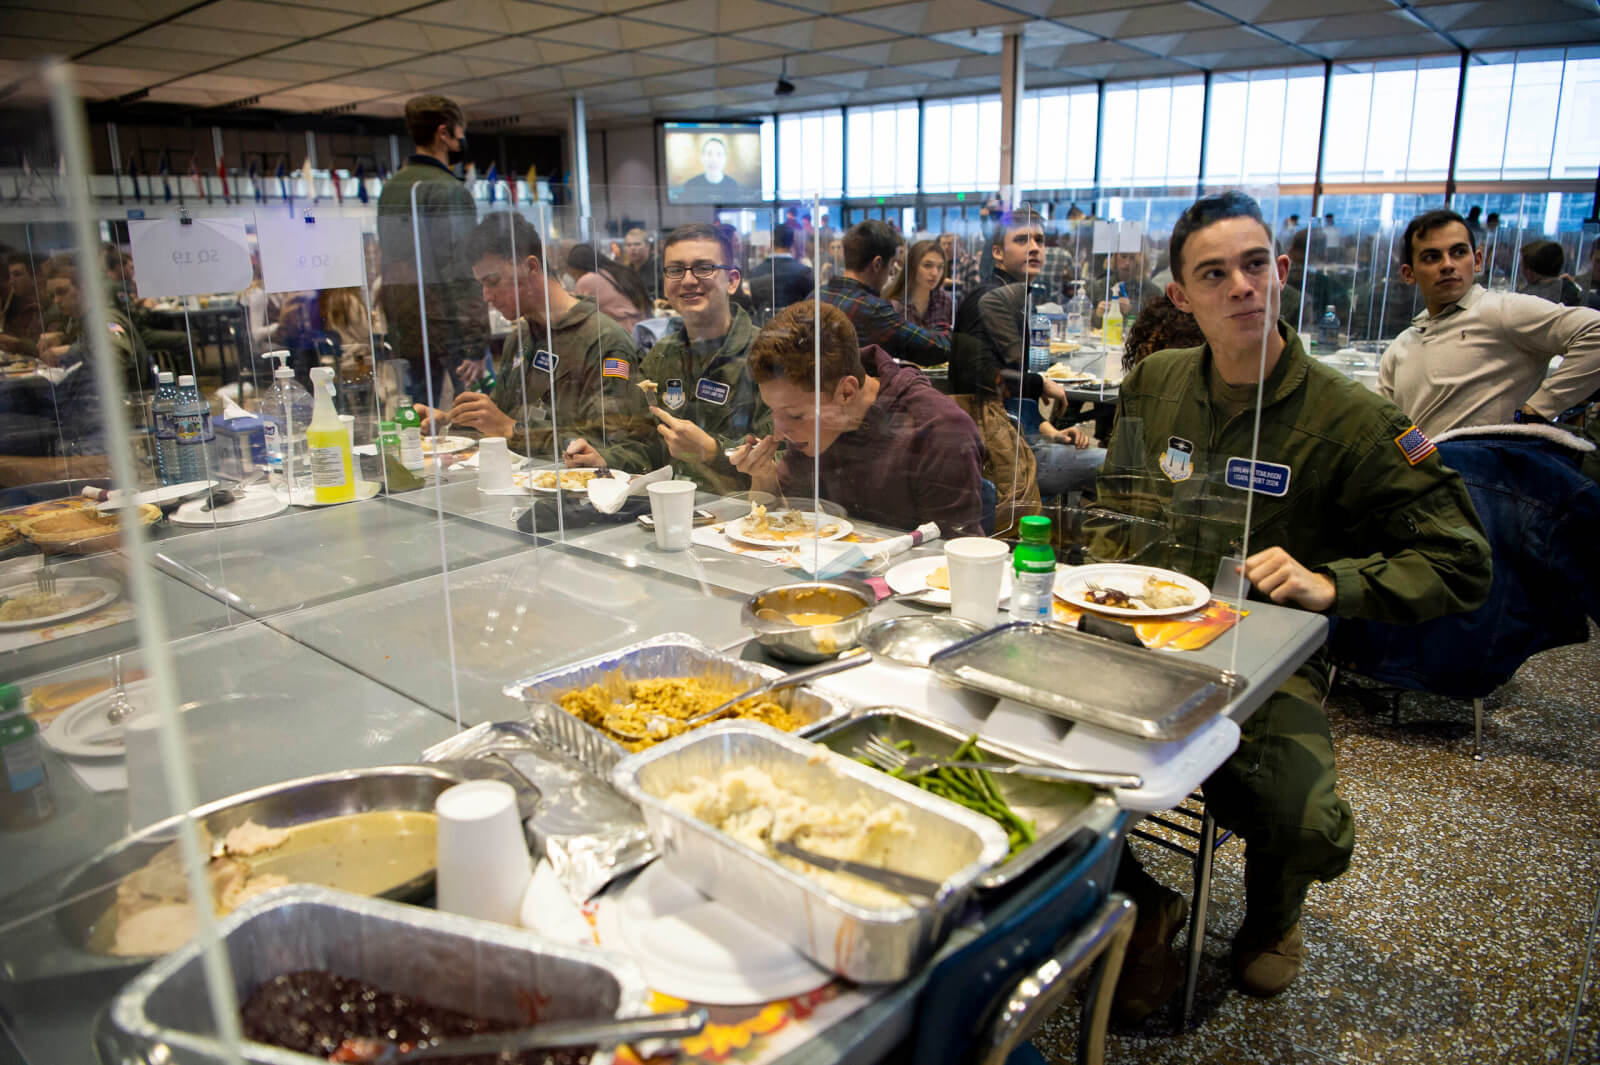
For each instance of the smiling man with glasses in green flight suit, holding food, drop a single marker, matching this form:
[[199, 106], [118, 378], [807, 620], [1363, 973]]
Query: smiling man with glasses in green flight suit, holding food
[[706, 401]]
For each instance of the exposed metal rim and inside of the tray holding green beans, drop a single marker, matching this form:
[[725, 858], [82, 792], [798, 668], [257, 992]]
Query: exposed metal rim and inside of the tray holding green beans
[[1058, 810]]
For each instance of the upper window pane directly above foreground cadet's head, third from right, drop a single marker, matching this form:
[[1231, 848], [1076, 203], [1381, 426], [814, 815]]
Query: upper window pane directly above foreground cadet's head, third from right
[[1265, 127]]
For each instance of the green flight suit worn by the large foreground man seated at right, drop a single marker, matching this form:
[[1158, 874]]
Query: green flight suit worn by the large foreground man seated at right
[[1351, 490]]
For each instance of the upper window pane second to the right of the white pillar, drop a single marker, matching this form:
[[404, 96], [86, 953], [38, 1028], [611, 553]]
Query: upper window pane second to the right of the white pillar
[[1153, 134]]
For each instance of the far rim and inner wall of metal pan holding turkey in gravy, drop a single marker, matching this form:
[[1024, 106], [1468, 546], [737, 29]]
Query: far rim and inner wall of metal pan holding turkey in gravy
[[57, 943]]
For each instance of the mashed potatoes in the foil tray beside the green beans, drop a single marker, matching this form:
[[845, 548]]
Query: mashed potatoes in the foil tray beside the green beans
[[754, 808]]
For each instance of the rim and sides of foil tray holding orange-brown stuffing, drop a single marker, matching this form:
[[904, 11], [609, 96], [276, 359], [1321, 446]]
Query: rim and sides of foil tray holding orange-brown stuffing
[[673, 655]]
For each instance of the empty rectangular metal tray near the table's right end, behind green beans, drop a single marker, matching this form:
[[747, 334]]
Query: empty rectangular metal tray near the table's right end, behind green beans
[[1087, 679]]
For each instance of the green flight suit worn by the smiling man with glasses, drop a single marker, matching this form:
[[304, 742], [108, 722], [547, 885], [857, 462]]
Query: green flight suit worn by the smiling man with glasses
[[727, 405]]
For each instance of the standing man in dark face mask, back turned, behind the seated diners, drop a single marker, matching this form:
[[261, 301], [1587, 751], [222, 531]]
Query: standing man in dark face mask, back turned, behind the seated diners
[[449, 309]]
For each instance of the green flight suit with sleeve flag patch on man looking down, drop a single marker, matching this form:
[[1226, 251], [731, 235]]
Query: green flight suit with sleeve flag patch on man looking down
[[596, 389]]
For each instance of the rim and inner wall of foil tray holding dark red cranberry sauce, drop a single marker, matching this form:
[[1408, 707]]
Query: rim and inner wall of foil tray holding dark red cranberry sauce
[[447, 960]]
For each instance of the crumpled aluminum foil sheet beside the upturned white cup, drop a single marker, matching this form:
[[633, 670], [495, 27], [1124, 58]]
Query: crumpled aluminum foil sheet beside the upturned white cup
[[590, 834]]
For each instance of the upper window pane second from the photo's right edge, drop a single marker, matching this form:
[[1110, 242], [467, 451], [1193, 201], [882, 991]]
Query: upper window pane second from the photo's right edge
[[1391, 121]]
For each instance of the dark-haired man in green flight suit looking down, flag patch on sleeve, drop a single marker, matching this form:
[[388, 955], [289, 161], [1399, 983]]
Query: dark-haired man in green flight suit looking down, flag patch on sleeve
[[585, 357]]
